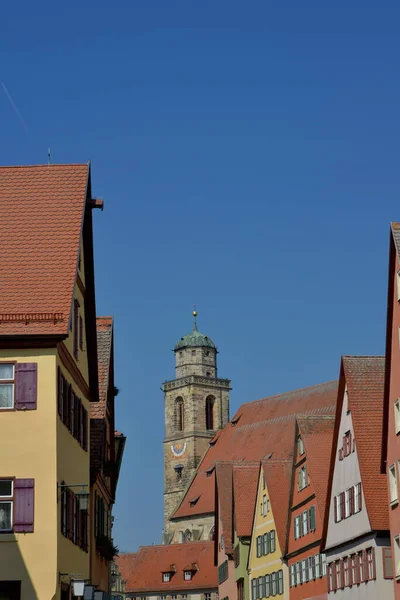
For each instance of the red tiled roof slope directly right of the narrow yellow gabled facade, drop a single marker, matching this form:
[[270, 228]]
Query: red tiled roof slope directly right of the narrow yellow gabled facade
[[278, 474]]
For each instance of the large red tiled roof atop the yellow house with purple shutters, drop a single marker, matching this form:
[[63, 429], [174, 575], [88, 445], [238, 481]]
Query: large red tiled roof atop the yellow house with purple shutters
[[41, 214]]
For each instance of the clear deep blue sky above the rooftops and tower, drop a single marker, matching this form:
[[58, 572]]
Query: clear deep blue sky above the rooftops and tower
[[248, 155]]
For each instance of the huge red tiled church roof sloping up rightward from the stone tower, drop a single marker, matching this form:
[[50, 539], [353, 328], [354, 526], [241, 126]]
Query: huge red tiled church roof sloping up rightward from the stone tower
[[258, 428]]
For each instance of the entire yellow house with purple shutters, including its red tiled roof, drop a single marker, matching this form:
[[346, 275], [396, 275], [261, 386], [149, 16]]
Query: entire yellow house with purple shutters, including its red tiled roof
[[48, 378]]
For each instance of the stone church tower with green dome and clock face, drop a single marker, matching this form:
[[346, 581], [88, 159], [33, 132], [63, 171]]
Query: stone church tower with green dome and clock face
[[196, 406]]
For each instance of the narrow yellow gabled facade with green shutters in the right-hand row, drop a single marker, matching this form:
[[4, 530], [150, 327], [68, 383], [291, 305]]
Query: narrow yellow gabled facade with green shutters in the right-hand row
[[268, 572]]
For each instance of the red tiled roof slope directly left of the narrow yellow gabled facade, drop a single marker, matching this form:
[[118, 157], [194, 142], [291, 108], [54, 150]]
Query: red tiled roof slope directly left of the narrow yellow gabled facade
[[245, 483]]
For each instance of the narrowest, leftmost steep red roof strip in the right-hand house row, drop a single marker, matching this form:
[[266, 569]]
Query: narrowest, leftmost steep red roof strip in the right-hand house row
[[224, 486]]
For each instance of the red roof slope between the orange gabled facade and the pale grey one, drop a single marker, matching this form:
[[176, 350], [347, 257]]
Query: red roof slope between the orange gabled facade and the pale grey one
[[317, 435]]
